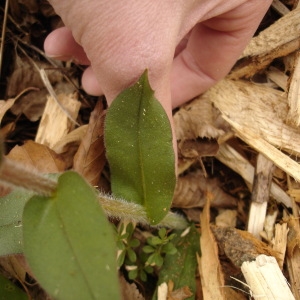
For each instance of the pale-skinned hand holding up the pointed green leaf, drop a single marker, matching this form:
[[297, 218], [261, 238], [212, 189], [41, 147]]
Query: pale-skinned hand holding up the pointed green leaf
[[187, 45]]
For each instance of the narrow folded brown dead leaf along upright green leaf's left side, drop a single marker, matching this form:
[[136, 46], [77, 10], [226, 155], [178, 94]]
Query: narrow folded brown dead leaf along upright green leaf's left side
[[90, 157]]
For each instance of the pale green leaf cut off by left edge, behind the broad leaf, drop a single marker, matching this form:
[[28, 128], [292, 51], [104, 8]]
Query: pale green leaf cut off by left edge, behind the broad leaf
[[11, 210]]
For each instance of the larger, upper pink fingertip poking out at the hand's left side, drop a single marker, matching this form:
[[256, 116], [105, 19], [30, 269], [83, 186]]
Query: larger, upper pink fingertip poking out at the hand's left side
[[60, 44]]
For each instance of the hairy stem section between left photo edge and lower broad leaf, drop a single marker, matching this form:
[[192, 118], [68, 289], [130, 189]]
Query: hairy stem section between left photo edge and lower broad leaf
[[15, 175]]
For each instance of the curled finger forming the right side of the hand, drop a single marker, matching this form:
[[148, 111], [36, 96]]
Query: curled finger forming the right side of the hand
[[212, 49]]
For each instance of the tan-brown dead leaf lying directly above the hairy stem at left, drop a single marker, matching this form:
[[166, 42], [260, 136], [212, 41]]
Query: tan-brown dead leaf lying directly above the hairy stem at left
[[40, 157]]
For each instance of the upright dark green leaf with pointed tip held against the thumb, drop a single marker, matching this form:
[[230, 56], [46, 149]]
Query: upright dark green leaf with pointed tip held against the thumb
[[138, 139]]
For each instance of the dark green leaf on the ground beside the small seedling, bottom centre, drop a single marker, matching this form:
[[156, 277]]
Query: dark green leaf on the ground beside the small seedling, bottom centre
[[181, 266]]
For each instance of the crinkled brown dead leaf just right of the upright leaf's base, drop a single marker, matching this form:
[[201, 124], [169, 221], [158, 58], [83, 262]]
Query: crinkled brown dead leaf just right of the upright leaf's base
[[191, 191]]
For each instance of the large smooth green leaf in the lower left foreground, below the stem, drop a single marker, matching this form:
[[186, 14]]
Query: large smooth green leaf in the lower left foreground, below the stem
[[69, 243]]
